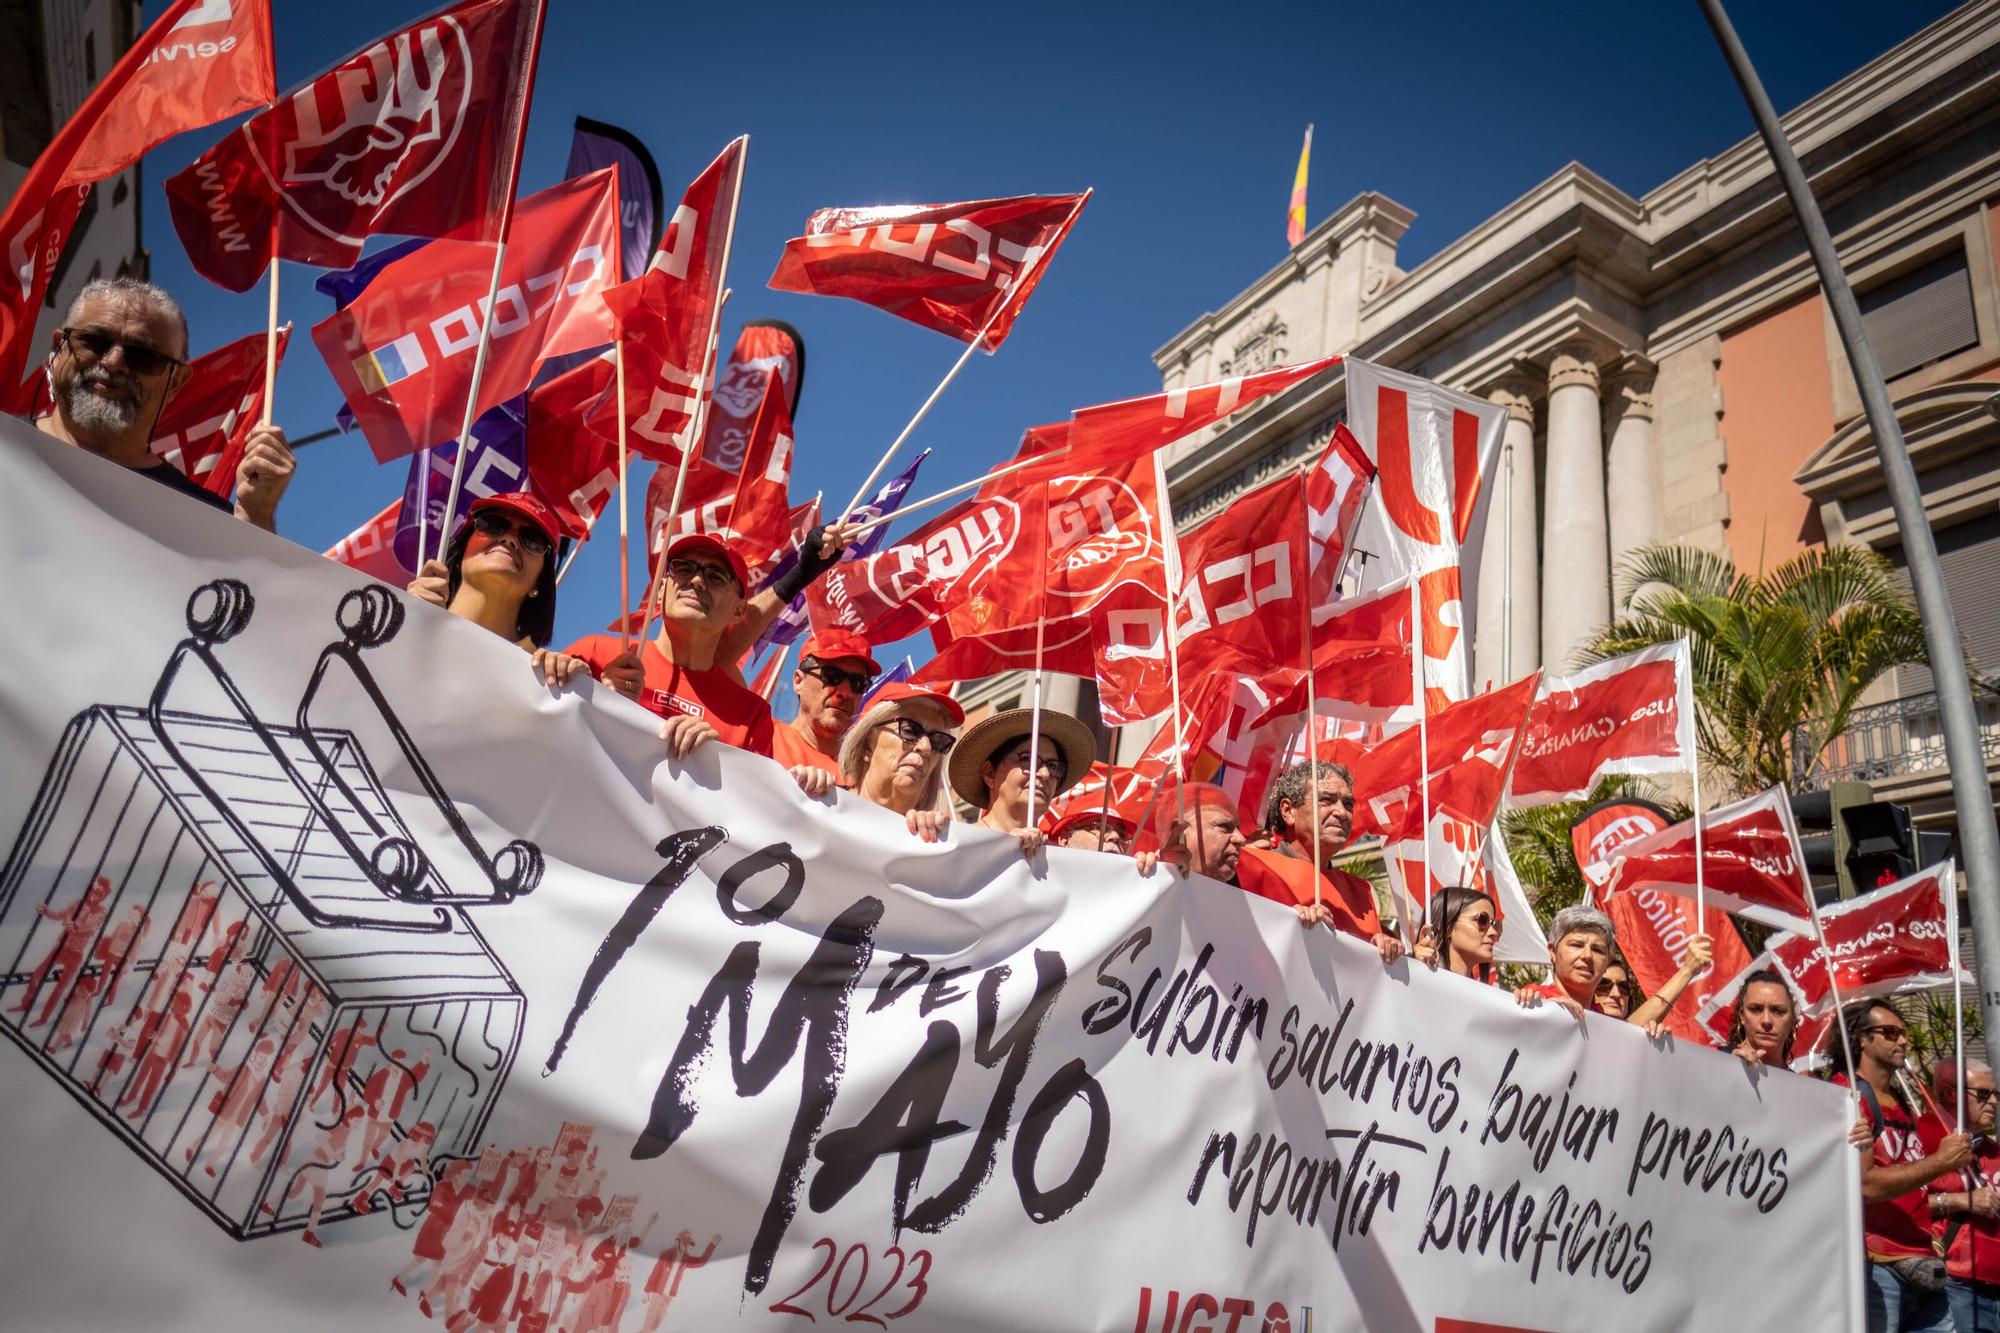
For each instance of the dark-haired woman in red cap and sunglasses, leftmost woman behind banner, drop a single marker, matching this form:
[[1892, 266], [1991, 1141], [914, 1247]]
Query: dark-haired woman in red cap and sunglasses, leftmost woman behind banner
[[499, 571]]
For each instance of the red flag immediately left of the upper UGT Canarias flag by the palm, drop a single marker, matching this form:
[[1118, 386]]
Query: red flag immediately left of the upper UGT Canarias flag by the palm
[[1471, 750]]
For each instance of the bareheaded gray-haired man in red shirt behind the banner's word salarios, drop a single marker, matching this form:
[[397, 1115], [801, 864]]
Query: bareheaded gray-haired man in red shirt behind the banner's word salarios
[[1315, 796]]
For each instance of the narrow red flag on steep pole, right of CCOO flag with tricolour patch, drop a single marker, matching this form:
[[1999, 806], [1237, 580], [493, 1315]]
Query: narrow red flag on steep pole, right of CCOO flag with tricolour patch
[[665, 313]]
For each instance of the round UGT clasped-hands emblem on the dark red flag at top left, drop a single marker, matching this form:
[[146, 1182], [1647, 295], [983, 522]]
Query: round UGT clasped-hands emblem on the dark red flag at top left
[[393, 117]]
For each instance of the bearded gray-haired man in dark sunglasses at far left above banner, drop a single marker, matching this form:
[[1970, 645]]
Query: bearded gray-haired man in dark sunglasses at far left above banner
[[119, 357]]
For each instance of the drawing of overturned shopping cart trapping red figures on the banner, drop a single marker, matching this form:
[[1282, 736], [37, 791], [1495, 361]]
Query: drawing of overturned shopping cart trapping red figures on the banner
[[221, 938]]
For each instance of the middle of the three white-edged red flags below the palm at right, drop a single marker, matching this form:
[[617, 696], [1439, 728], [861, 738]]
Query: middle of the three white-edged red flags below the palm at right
[[1751, 864]]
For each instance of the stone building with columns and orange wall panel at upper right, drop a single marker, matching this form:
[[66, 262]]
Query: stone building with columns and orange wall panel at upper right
[[1671, 371]]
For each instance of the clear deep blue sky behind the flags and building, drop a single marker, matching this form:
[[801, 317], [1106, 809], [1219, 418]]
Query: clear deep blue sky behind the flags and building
[[1185, 119]]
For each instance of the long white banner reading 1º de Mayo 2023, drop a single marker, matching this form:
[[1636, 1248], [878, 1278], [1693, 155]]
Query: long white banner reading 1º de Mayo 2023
[[323, 920]]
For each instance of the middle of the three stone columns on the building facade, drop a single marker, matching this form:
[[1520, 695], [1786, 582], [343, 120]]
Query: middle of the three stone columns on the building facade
[[1577, 595]]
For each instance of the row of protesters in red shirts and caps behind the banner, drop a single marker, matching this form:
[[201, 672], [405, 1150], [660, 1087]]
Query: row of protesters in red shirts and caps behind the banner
[[1931, 1184]]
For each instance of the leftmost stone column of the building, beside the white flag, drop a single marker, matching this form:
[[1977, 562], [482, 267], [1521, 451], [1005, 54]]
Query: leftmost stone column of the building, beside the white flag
[[1509, 637]]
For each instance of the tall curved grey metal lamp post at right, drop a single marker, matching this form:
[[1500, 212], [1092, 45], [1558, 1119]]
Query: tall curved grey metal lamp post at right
[[1979, 840]]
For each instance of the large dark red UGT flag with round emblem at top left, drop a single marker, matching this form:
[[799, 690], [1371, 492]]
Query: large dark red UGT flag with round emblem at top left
[[415, 135]]
